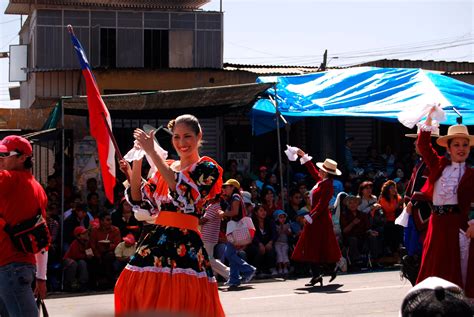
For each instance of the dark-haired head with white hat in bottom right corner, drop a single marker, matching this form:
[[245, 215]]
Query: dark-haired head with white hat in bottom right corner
[[436, 297]]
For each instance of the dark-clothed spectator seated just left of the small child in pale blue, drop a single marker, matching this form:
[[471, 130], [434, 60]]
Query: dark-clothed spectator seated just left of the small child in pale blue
[[261, 252]]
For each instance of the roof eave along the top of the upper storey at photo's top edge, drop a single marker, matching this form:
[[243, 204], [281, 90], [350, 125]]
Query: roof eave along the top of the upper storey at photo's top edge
[[25, 6]]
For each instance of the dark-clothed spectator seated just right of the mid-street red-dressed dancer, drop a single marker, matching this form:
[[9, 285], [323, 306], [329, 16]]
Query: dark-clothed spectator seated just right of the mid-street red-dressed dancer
[[354, 225]]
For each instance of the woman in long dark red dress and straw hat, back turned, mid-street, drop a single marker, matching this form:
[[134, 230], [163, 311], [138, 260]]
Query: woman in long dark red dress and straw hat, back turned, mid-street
[[317, 244]]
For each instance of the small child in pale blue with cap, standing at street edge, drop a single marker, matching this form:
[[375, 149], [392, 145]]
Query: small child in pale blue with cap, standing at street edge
[[281, 243]]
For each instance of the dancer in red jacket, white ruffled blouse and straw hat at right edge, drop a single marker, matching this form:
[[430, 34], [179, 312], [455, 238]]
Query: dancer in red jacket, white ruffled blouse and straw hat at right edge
[[450, 184]]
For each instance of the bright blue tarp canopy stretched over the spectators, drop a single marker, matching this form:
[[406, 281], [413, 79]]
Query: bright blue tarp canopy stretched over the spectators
[[361, 92]]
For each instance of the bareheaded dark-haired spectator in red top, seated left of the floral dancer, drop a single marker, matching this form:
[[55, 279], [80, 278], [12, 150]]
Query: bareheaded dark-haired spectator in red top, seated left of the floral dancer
[[104, 240]]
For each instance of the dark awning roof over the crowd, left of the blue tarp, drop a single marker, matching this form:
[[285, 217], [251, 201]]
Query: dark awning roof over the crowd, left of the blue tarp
[[213, 100]]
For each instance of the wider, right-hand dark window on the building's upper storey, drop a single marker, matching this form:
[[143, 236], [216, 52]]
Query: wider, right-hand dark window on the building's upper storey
[[156, 49]]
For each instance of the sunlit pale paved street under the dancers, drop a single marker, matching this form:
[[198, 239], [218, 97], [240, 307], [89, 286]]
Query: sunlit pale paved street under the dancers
[[368, 294]]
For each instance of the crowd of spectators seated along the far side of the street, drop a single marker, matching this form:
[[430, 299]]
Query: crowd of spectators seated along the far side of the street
[[98, 238]]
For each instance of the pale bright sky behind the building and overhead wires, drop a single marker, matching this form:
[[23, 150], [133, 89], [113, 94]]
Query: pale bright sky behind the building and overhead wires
[[297, 32]]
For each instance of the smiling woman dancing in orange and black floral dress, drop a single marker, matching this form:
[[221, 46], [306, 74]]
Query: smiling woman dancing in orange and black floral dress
[[171, 272]]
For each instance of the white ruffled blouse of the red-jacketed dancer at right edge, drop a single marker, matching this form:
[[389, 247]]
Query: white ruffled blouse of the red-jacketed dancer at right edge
[[446, 187]]
